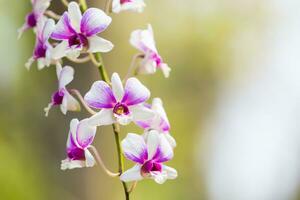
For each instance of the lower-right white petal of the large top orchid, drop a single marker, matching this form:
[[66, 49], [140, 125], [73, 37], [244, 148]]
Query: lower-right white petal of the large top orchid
[[98, 44]]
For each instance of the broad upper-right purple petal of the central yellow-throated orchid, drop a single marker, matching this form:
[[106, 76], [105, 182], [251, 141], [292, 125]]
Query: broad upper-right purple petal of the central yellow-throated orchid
[[135, 92]]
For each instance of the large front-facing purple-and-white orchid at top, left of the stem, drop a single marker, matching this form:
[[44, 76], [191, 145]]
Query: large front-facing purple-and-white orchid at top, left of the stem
[[78, 32]]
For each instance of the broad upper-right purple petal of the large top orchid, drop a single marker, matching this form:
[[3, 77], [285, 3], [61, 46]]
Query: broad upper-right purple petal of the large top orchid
[[94, 21]]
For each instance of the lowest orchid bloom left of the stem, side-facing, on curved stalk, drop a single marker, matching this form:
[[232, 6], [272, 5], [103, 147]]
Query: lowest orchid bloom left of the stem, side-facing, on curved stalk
[[81, 136]]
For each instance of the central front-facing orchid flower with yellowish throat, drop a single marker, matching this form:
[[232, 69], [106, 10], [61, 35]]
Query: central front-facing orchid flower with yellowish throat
[[118, 104]]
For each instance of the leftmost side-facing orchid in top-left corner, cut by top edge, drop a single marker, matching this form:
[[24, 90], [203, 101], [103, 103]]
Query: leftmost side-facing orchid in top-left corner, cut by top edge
[[31, 20]]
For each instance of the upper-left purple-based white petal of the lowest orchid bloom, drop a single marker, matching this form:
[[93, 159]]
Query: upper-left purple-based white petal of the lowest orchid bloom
[[135, 148]]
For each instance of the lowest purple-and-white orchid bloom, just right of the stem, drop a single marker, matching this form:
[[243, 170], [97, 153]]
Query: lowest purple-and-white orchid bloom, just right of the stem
[[149, 157]]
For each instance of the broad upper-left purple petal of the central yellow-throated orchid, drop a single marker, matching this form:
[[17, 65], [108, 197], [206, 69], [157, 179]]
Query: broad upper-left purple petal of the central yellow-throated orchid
[[100, 96]]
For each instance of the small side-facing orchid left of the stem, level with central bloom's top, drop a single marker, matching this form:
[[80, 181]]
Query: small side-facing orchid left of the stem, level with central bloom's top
[[62, 97]]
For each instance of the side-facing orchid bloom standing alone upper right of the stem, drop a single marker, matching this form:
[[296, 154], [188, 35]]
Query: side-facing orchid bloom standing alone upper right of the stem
[[143, 40]]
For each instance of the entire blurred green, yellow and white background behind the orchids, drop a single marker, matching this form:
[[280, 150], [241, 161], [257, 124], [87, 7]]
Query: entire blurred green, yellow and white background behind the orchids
[[233, 100]]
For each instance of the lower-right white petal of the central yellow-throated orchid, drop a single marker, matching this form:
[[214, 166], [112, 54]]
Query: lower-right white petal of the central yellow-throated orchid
[[141, 113]]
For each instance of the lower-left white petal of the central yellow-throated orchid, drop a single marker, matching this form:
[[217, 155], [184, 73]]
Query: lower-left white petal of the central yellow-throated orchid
[[103, 117]]
